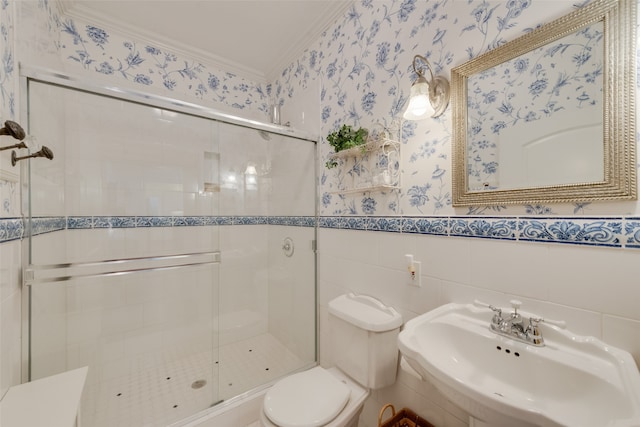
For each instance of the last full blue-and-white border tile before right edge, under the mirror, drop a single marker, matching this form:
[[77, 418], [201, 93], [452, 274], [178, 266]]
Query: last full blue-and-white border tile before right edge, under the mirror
[[579, 231]]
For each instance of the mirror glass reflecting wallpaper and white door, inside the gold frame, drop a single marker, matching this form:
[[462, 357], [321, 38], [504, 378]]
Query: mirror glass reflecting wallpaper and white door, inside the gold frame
[[536, 120]]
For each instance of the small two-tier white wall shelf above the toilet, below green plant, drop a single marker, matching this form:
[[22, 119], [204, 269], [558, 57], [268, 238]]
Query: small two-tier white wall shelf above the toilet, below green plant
[[374, 166]]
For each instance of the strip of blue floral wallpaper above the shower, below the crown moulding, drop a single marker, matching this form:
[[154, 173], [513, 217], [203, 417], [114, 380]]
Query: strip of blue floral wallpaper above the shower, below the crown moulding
[[86, 48]]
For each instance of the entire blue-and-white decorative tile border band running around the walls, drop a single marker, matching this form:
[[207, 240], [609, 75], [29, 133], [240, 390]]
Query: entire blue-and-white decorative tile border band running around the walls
[[616, 232]]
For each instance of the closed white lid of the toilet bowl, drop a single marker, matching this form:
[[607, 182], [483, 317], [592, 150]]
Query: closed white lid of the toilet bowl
[[311, 399]]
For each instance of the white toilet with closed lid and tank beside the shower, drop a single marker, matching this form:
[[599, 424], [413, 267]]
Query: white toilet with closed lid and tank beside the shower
[[363, 335]]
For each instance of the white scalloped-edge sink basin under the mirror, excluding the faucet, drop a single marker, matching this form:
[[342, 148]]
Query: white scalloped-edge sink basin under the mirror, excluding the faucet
[[570, 381]]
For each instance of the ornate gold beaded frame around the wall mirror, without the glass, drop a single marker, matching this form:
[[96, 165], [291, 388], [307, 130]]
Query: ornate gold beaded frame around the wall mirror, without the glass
[[619, 127]]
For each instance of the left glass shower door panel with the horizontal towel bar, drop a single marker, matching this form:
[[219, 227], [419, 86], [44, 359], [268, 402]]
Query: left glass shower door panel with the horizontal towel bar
[[124, 259]]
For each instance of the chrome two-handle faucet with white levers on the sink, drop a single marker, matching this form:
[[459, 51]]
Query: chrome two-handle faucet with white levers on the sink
[[513, 327]]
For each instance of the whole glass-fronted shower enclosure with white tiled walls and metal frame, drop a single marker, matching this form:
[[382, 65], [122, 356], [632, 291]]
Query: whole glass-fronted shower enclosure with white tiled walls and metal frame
[[170, 250]]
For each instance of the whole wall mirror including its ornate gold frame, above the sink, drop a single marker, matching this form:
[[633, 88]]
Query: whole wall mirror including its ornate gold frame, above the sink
[[550, 116]]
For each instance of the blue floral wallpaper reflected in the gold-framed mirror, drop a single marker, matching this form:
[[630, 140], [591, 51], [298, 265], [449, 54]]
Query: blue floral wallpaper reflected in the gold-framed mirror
[[528, 89]]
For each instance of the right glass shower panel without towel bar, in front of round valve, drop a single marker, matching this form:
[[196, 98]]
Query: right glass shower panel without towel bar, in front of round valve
[[267, 292]]
